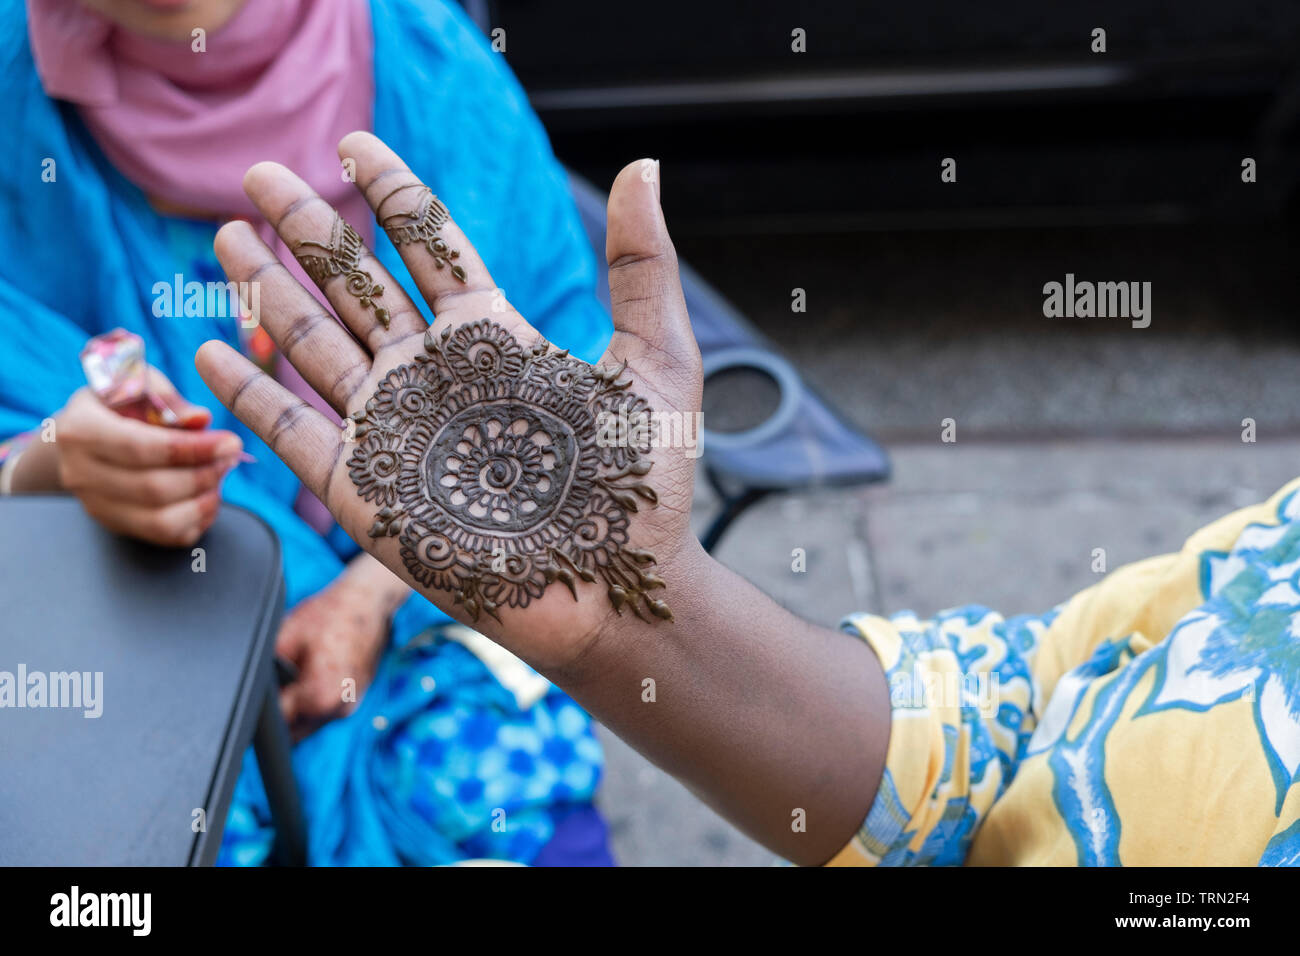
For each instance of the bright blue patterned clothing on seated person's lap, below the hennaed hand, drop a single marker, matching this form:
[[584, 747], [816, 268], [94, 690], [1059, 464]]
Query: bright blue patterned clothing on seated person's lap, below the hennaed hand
[[439, 764]]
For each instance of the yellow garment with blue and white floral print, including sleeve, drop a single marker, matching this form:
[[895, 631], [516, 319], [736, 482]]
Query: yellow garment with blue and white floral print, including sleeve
[[1154, 719]]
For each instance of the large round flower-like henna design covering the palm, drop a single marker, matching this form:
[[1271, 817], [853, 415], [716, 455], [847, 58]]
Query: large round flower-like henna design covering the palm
[[486, 462]]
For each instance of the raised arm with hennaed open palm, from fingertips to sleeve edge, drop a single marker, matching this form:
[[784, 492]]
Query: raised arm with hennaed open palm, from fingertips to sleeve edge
[[476, 474]]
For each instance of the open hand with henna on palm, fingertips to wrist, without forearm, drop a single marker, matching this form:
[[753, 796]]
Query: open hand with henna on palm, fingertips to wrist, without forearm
[[521, 490]]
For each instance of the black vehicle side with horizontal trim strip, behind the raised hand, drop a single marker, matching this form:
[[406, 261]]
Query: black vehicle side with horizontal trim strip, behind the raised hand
[[851, 135]]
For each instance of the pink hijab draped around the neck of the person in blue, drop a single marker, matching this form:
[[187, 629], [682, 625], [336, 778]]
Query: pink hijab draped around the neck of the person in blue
[[283, 81]]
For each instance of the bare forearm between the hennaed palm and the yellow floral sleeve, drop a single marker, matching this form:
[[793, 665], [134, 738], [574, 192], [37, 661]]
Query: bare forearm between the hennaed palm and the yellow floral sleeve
[[761, 713]]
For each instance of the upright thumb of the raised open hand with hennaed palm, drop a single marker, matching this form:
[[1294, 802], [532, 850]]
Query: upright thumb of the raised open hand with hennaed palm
[[645, 291]]
